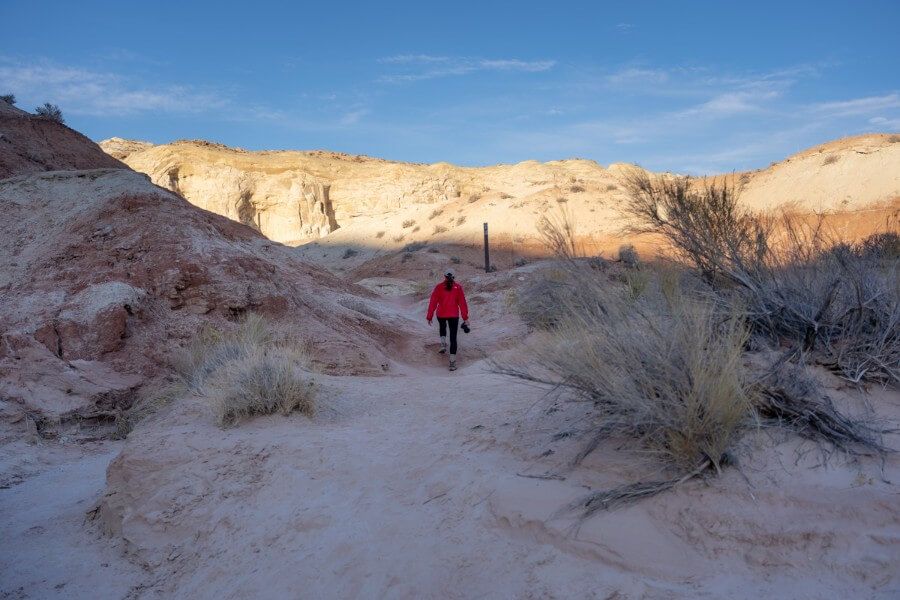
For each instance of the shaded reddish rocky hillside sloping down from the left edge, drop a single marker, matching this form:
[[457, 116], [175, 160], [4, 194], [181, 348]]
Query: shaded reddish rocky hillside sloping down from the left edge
[[103, 275]]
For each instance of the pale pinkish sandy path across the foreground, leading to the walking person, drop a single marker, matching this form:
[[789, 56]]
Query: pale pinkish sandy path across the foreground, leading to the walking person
[[408, 486]]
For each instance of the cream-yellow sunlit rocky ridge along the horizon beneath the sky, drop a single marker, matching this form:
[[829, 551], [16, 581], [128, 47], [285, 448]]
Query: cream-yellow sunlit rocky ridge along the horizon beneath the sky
[[297, 197]]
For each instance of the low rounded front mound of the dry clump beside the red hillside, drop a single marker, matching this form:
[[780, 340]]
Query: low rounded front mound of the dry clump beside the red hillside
[[262, 383]]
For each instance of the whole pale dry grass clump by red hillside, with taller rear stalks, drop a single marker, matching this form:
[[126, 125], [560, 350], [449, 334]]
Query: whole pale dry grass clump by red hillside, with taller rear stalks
[[250, 370]]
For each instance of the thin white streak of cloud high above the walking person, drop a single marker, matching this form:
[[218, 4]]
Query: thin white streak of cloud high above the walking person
[[419, 67]]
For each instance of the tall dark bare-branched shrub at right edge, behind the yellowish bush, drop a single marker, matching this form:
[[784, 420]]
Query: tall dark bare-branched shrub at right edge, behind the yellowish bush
[[798, 284]]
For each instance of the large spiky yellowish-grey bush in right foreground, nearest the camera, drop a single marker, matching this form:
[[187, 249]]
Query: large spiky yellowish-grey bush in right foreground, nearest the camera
[[663, 370]]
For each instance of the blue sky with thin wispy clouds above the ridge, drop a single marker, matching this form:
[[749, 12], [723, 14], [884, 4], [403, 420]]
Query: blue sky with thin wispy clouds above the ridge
[[684, 86]]
